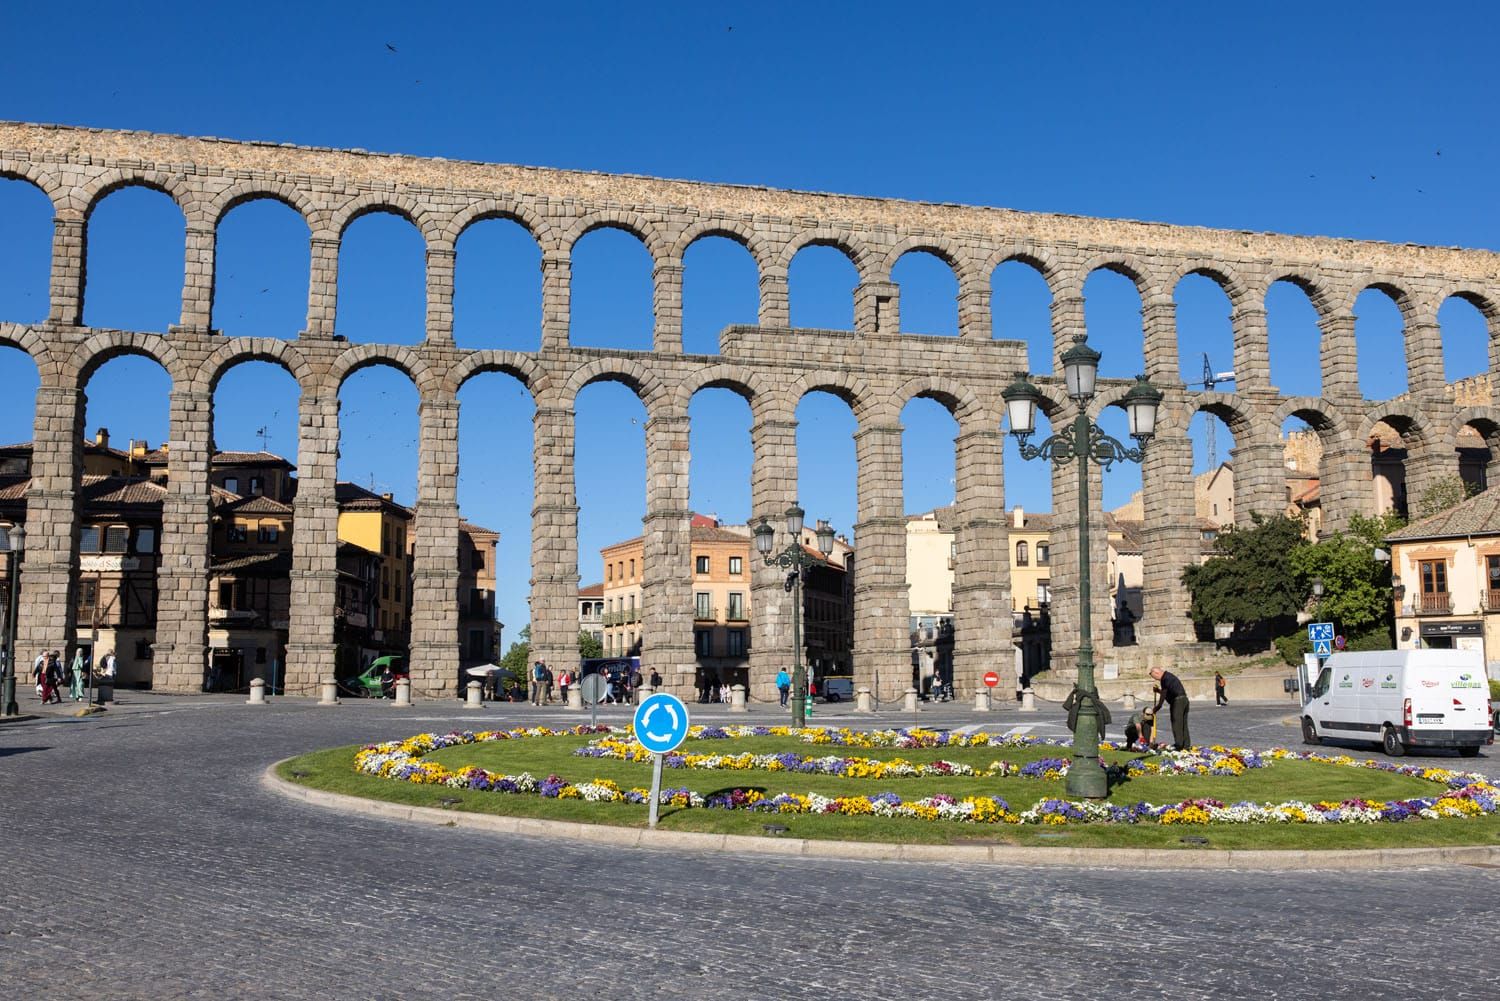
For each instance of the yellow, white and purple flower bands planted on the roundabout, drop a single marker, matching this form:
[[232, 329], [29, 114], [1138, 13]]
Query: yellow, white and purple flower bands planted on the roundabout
[[1463, 795]]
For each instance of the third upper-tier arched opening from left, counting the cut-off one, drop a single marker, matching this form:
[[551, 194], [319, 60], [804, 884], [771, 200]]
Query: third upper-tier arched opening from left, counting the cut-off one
[[262, 271]]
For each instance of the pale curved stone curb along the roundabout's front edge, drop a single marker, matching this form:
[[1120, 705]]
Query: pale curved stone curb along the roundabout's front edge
[[1285, 861]]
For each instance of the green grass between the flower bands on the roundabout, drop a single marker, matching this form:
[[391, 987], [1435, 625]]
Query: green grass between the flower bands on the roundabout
[[334, 771]]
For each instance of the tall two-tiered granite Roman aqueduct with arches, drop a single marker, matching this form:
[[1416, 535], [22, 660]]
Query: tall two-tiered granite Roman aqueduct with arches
[[874, 368]]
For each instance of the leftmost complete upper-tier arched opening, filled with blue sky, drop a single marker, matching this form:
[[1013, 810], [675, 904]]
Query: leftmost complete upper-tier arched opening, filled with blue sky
[[134, 272]]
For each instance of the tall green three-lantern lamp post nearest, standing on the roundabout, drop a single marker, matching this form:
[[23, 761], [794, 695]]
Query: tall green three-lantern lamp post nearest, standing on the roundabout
[[1085, 442]]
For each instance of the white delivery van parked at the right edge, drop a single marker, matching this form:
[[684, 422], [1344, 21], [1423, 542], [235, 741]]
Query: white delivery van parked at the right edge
[[1402, 699]]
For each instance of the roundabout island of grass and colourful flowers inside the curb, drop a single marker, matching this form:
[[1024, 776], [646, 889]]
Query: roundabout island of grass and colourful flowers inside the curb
[[919, 787]]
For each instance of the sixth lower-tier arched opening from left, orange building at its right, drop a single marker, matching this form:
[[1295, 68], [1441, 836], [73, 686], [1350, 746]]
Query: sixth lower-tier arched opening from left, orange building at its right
[[610, 467]]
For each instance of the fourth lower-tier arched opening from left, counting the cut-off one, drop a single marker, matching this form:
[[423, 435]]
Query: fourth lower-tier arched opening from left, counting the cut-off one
[[377, 491]]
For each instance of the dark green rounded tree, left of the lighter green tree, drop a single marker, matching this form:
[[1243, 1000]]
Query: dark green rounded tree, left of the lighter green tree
[[1250, 579]]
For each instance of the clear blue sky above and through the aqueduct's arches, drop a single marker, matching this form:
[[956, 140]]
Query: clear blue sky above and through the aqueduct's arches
[[1363, 121]]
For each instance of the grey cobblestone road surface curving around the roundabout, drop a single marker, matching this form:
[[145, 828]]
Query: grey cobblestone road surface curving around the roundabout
[[145, 862]]
